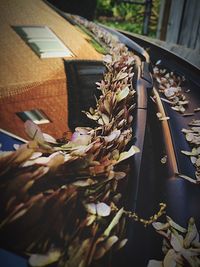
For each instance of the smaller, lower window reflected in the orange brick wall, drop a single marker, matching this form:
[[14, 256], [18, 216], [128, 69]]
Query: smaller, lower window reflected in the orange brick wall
[[35, 115]]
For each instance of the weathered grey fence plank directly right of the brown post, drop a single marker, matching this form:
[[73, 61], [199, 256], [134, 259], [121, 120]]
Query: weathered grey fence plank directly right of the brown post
[[174, 22]]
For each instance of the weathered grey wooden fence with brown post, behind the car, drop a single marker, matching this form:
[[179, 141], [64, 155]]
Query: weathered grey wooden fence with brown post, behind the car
[[183, 25]]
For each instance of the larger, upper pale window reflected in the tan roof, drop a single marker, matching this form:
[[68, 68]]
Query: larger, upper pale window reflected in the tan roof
[[43, 41]]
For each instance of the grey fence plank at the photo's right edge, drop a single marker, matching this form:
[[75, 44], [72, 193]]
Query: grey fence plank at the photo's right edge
[[190, 24]]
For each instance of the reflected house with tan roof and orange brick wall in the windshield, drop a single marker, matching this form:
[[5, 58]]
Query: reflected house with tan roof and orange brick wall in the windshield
[[29, 82]]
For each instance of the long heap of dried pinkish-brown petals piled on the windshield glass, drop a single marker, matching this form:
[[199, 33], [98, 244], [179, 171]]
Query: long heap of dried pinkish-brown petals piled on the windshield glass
[[62, 192]]
